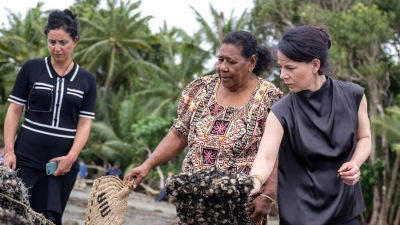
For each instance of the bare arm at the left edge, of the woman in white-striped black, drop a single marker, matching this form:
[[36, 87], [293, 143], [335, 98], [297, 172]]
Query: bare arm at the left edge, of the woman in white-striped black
[[13, 116]]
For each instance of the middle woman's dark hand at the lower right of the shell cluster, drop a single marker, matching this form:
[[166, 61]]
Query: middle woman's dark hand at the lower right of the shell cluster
[[259, 208]]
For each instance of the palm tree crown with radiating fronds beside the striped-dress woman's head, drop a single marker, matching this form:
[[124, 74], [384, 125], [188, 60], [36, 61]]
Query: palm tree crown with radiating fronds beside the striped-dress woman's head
[[112, 38]]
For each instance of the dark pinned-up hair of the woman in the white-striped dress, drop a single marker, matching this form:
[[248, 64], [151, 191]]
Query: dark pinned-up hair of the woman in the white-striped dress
[[65, 20]]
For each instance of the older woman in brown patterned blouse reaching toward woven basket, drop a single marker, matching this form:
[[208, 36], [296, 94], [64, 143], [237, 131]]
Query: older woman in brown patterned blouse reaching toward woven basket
[[221, 118]]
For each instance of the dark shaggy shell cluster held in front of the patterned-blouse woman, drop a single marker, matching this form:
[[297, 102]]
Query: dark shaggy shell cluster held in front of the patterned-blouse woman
[[211, 196]]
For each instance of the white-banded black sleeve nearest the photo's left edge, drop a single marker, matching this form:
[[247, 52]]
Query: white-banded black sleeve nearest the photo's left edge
[[20, 91]]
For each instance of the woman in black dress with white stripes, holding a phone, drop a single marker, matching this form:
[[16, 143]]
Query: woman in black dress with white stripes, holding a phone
[[59, 97]]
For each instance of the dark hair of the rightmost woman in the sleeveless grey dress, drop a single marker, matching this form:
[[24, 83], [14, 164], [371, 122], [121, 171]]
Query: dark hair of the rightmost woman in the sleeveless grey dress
[[305, 43]]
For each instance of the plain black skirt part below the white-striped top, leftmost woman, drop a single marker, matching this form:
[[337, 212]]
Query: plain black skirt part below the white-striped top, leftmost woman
[[33, 151]]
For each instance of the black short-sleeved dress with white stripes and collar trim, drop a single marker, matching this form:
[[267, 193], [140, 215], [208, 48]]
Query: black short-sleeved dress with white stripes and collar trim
[[53, 106]]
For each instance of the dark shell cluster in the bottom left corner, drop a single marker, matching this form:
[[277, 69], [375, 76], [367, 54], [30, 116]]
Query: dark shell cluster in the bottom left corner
[[14, 203]]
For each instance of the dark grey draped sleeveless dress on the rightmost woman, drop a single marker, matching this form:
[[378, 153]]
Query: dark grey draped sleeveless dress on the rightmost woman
[[320, 134]]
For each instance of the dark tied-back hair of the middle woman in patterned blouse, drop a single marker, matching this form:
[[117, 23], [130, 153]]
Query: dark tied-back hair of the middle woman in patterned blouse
[[250, 47]]
